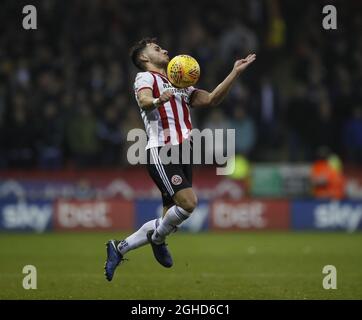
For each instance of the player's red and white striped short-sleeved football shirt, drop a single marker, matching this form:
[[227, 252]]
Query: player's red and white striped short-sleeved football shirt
[[171, 122]]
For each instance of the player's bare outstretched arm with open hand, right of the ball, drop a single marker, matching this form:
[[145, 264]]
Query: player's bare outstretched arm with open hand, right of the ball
[[202, 98]]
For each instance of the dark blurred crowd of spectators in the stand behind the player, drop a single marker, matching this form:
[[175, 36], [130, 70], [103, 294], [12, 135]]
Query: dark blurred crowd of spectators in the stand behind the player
[[66, 95]]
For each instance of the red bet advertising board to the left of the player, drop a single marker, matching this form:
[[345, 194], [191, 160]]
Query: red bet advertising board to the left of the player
[[97, 215]]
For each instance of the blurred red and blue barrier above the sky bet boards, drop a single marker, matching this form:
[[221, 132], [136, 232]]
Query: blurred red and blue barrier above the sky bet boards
[[127, 183]]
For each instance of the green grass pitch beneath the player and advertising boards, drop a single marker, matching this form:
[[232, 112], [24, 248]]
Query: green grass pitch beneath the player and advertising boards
[[243, 265]]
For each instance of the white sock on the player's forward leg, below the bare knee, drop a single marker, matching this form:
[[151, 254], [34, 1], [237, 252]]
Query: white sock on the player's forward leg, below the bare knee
[[173, 217]]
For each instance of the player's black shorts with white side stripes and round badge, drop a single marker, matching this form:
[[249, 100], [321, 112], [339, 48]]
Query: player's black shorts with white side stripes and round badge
[[170, 177]]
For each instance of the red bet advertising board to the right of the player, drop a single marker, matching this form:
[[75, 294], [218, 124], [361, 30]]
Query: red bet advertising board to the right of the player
[[250, 215]]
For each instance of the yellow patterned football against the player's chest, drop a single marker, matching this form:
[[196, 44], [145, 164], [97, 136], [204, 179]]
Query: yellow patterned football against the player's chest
[[183, 71]]
